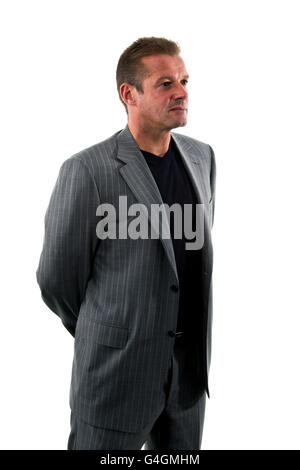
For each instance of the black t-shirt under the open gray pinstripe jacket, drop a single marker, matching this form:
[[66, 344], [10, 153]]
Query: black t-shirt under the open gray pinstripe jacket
[[175, 186]]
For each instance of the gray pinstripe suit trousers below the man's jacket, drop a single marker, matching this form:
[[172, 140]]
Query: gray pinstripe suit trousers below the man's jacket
[[178, 424]]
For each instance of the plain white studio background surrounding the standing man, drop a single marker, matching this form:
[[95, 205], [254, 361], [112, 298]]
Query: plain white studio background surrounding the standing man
[[58, 96]]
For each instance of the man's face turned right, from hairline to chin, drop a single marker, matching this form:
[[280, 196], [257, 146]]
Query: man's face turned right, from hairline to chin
[[164, 103]]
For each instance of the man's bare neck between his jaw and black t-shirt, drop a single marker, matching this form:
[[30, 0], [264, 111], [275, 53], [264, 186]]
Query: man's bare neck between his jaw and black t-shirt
[[151, 140]]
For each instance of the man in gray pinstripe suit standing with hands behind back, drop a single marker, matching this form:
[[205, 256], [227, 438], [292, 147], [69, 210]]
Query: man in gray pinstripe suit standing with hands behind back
[[139, 307]]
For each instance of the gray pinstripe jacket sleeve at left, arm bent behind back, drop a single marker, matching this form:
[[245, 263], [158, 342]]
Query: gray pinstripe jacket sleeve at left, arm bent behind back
[[70, 241]]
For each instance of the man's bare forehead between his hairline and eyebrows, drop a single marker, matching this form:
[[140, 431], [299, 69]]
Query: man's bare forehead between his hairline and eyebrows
[[163, 64]]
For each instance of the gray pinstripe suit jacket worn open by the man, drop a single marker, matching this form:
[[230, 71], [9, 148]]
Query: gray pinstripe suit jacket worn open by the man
[[114, 295]]
